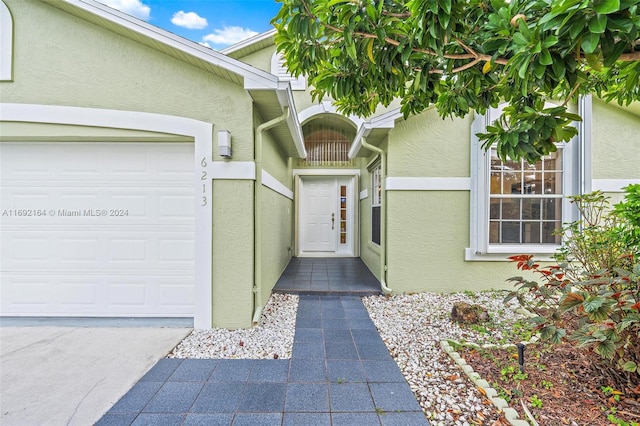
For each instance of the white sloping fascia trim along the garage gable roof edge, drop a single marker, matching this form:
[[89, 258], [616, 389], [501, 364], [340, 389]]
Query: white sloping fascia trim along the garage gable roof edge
[[258, 77]]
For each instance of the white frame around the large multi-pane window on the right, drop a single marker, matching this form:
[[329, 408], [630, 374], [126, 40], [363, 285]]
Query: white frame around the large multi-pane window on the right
[[480, 248]]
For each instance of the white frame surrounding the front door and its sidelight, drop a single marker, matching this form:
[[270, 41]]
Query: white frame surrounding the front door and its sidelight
[[354, 175]]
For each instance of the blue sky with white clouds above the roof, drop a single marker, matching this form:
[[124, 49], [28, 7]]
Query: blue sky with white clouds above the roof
[[215, 23]]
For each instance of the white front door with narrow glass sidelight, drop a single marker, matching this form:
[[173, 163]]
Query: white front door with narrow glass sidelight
[[326, 216]]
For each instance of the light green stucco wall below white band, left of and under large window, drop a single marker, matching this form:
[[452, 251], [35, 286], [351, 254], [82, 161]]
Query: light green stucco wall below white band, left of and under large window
[[426, 235]]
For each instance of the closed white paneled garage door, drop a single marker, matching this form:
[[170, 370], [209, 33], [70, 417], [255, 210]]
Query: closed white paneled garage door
[[97, 229]]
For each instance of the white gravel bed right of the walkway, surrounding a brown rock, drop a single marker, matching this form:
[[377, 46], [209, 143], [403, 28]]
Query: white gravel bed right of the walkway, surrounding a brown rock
[[412, 327]]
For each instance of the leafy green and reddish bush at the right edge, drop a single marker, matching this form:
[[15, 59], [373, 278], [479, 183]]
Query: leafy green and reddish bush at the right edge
[[594, 286]]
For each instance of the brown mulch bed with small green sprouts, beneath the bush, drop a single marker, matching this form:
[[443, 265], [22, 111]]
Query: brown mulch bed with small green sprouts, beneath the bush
[[562, 386]]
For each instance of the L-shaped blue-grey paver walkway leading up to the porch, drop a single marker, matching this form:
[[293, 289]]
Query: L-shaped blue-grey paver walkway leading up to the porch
[[340, 373]]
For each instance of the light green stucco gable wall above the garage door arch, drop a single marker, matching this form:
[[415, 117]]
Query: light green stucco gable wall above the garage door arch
[[60, 59]]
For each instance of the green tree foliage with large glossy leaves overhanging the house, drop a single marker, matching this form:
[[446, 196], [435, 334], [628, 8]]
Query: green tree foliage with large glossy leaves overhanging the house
[[463, 55]]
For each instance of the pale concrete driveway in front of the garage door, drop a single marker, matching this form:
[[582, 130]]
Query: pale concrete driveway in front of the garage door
[[72, 375]]
